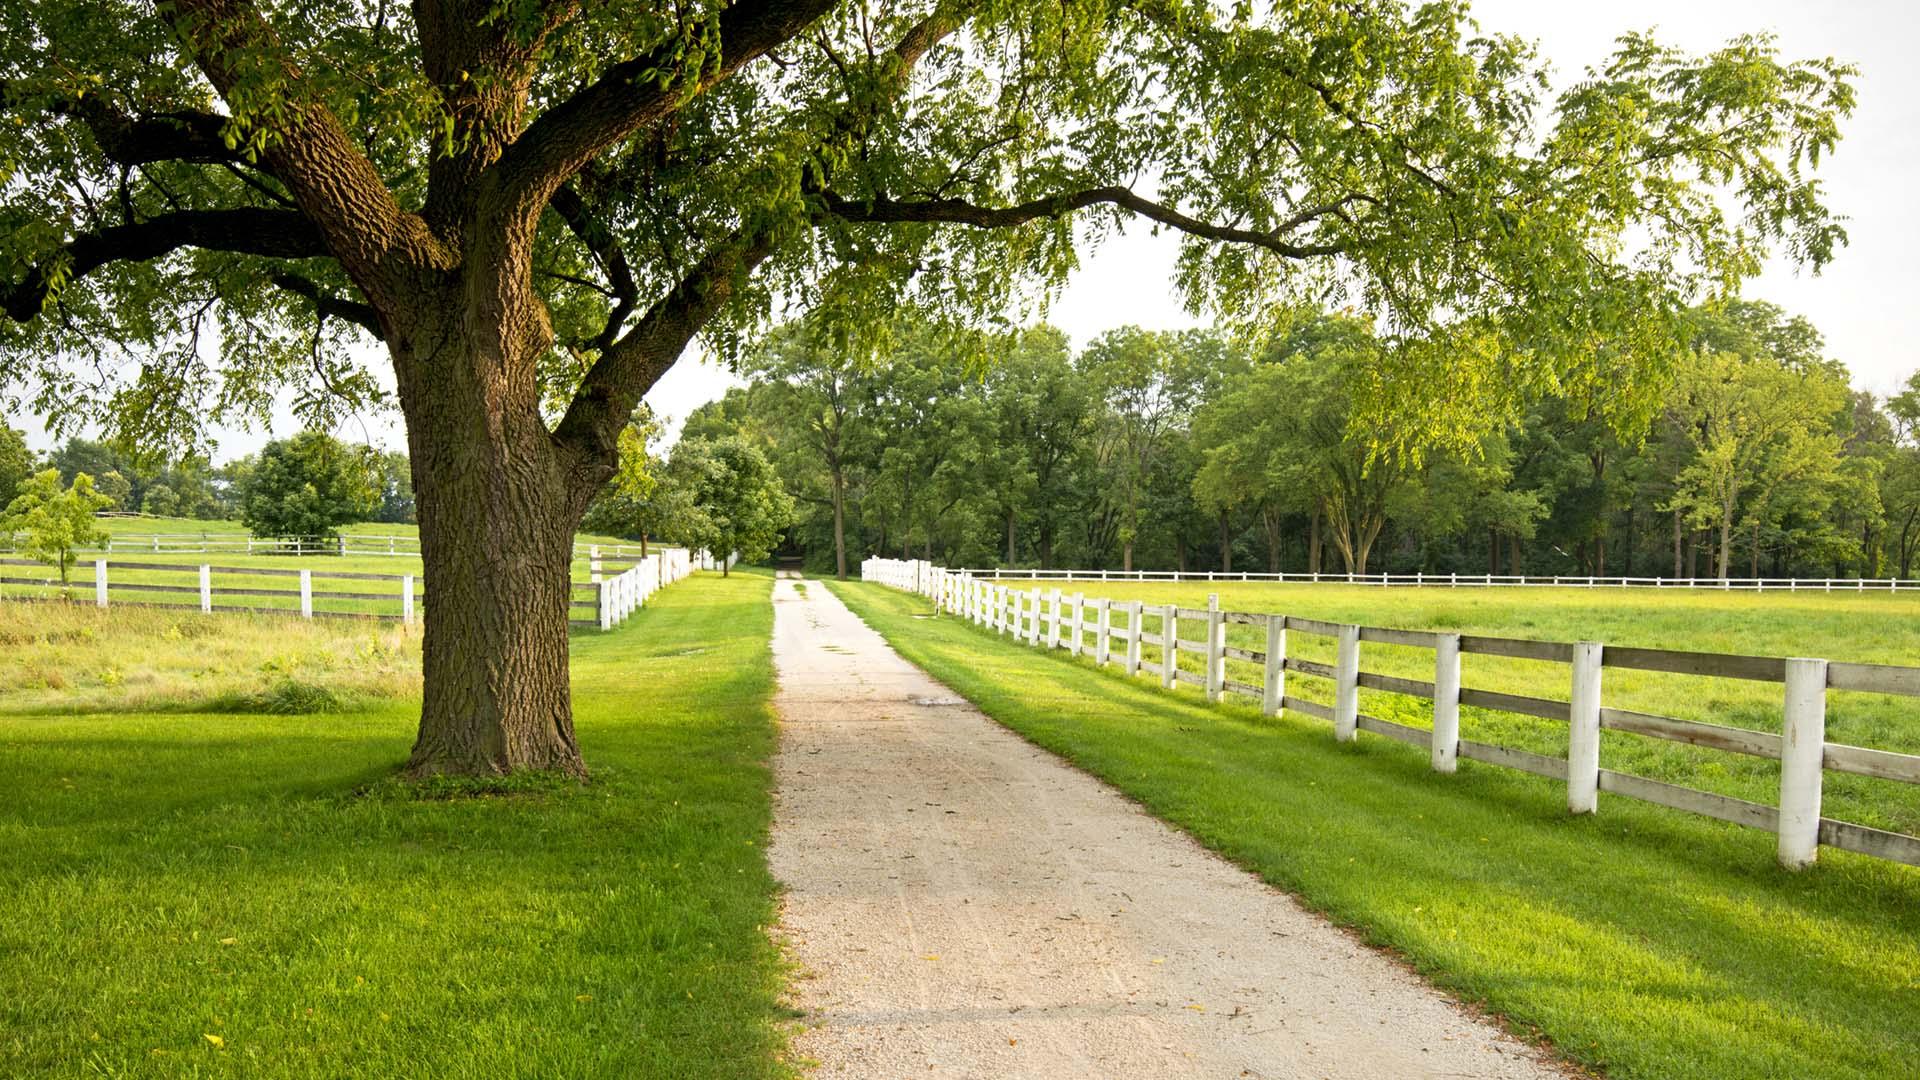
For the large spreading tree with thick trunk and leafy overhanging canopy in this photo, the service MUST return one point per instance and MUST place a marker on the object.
(535, 209)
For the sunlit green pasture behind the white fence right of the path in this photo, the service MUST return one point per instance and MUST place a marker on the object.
(1852, 627)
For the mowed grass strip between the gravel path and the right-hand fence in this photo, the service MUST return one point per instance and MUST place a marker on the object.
(1644, 943)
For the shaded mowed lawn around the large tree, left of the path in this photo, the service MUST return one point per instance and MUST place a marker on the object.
(199, 895)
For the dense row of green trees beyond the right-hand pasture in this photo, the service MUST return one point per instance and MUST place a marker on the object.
(1186, 451)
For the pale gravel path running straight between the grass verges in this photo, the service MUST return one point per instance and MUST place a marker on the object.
(967, 906)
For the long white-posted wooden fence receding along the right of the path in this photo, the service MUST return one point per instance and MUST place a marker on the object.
(1053, 620)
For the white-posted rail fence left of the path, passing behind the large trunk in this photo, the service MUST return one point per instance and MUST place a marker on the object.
(329, 595)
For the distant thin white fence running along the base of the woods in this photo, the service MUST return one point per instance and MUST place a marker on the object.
(1464, 581)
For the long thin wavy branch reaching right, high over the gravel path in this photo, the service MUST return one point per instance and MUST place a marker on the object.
(961, 212)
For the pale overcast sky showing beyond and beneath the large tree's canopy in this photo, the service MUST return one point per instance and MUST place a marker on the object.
(1865, 303)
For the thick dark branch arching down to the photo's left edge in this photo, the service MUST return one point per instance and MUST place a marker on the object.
(251, 232)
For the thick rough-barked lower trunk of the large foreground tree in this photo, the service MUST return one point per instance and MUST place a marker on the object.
(498, 508)
